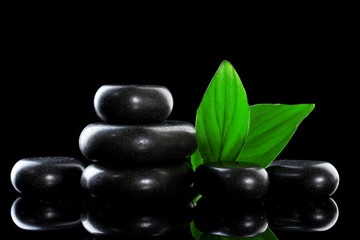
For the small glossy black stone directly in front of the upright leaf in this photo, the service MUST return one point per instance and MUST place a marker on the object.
(231, 181)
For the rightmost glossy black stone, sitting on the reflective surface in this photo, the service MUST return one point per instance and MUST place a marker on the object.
(303, 177)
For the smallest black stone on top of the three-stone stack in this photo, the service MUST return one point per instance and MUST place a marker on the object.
(133, 104)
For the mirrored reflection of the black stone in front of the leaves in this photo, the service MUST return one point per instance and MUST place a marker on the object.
(241, 219)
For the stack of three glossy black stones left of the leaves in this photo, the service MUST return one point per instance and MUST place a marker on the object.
(139, 155)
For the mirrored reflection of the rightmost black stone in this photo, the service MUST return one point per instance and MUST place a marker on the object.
(303, 215)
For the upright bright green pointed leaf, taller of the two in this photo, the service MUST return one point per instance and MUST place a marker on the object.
(222, 120)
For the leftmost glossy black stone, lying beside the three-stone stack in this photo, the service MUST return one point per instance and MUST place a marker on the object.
(46, 176)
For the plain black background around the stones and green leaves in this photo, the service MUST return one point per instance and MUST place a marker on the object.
(53, 66)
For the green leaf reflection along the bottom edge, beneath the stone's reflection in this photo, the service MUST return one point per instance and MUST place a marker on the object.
(197, 235)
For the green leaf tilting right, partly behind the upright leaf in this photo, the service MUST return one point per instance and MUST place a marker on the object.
(271, 128)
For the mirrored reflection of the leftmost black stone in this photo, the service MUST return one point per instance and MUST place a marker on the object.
(41, 215)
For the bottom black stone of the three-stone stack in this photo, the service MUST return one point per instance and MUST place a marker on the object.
(140, 183)
